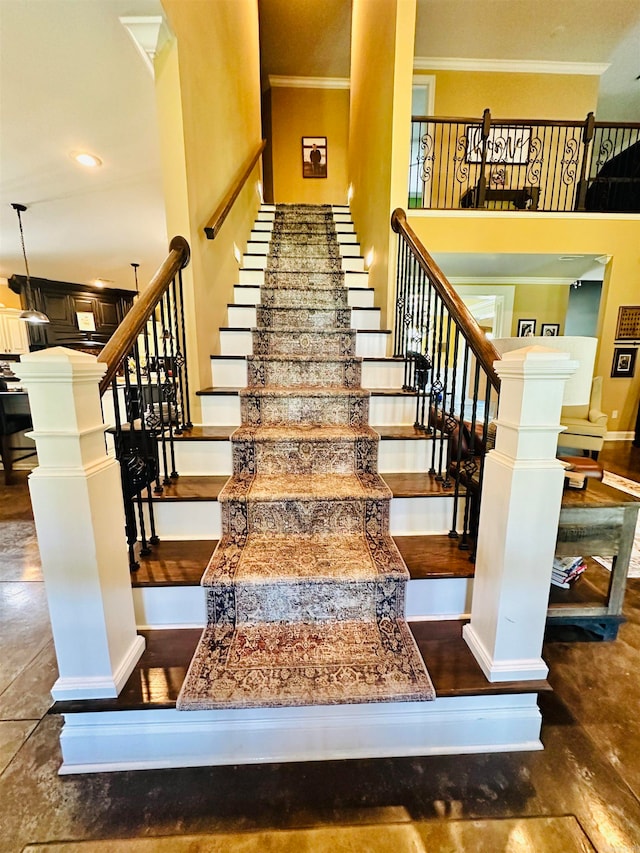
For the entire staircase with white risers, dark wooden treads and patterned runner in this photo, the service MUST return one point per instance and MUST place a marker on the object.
(313, 535)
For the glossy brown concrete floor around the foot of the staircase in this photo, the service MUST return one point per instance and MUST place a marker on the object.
(581, 793)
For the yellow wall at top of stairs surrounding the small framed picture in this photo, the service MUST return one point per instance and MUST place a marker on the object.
(309, 112)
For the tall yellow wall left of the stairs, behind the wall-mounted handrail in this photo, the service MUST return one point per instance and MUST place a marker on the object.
(209, 112)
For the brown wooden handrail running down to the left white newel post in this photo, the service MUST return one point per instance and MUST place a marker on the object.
(125, 336)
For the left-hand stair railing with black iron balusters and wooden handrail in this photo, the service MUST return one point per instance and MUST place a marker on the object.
(145, 394)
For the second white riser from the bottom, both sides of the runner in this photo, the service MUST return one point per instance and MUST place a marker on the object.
(184, 607)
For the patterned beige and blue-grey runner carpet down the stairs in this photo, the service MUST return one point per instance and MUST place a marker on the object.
(305, 591)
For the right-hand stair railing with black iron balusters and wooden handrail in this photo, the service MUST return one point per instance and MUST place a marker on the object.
(449, 368)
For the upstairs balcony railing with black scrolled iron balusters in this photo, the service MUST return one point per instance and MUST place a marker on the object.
(524, 164)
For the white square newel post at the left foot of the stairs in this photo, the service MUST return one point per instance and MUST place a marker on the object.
(77, 503)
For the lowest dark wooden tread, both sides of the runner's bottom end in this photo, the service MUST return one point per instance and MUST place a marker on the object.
(157, 677)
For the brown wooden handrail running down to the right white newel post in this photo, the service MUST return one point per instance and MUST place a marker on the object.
(481, 347)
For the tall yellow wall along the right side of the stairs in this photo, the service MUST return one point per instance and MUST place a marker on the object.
(379, 128)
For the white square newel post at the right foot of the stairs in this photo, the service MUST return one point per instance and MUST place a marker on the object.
(521, 497)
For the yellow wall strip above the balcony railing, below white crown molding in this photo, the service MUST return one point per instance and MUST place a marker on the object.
(514, 95)
